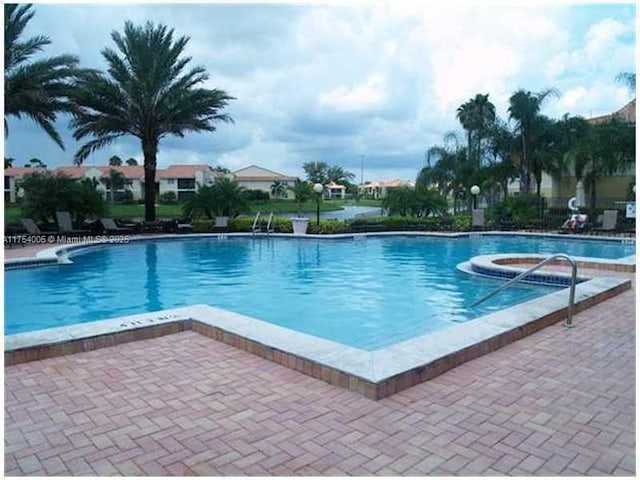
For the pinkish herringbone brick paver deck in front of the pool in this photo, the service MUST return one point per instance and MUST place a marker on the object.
(555, 403)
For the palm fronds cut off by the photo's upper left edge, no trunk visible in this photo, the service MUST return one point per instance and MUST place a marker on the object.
(36, 89)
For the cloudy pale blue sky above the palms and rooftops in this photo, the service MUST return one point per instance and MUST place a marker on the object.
(371, 85)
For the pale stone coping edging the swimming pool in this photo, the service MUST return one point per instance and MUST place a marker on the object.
(375, 374)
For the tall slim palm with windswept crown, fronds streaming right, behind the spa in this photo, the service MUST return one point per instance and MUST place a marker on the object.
(524, 107)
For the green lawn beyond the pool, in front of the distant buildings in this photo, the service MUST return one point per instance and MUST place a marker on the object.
(12, 213)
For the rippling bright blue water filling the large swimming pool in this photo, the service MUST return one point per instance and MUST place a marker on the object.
(368, 294)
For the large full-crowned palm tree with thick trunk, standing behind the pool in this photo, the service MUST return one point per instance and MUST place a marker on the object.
(145, 93)
